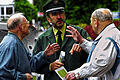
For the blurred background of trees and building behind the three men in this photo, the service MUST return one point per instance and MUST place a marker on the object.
(78, 12)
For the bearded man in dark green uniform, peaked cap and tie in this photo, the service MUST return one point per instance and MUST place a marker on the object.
(56, 15)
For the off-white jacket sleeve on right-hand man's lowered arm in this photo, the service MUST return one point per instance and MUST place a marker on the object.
(101, 61)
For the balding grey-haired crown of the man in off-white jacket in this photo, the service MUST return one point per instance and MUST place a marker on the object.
(102, 14)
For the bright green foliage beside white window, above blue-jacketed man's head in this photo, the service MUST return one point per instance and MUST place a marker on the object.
(28, 9)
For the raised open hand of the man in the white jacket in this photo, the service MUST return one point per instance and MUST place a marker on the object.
(75, 34)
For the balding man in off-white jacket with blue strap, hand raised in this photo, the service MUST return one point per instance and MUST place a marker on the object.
(102, 52)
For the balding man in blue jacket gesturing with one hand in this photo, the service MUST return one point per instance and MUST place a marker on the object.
(16, 63)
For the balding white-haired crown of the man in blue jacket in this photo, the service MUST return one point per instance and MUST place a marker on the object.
(14, 20)
